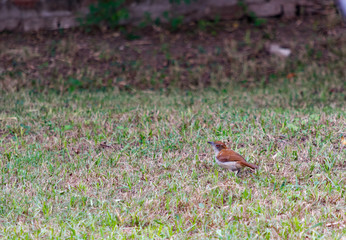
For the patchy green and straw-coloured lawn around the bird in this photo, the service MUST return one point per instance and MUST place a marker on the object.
(120, 166)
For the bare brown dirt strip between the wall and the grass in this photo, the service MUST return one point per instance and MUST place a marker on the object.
(194, 58)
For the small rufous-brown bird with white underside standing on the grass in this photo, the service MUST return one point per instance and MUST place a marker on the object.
(229, 159)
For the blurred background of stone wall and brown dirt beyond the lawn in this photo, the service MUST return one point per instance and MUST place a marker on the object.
(163, 44)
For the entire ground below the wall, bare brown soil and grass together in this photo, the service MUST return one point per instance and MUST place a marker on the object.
(80, 161)
